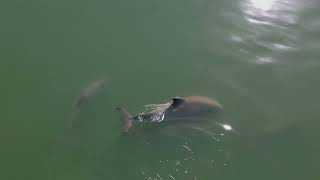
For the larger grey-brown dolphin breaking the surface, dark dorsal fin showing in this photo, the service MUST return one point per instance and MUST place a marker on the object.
(190, 112)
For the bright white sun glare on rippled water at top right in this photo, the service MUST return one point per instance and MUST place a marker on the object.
(270, 28)
